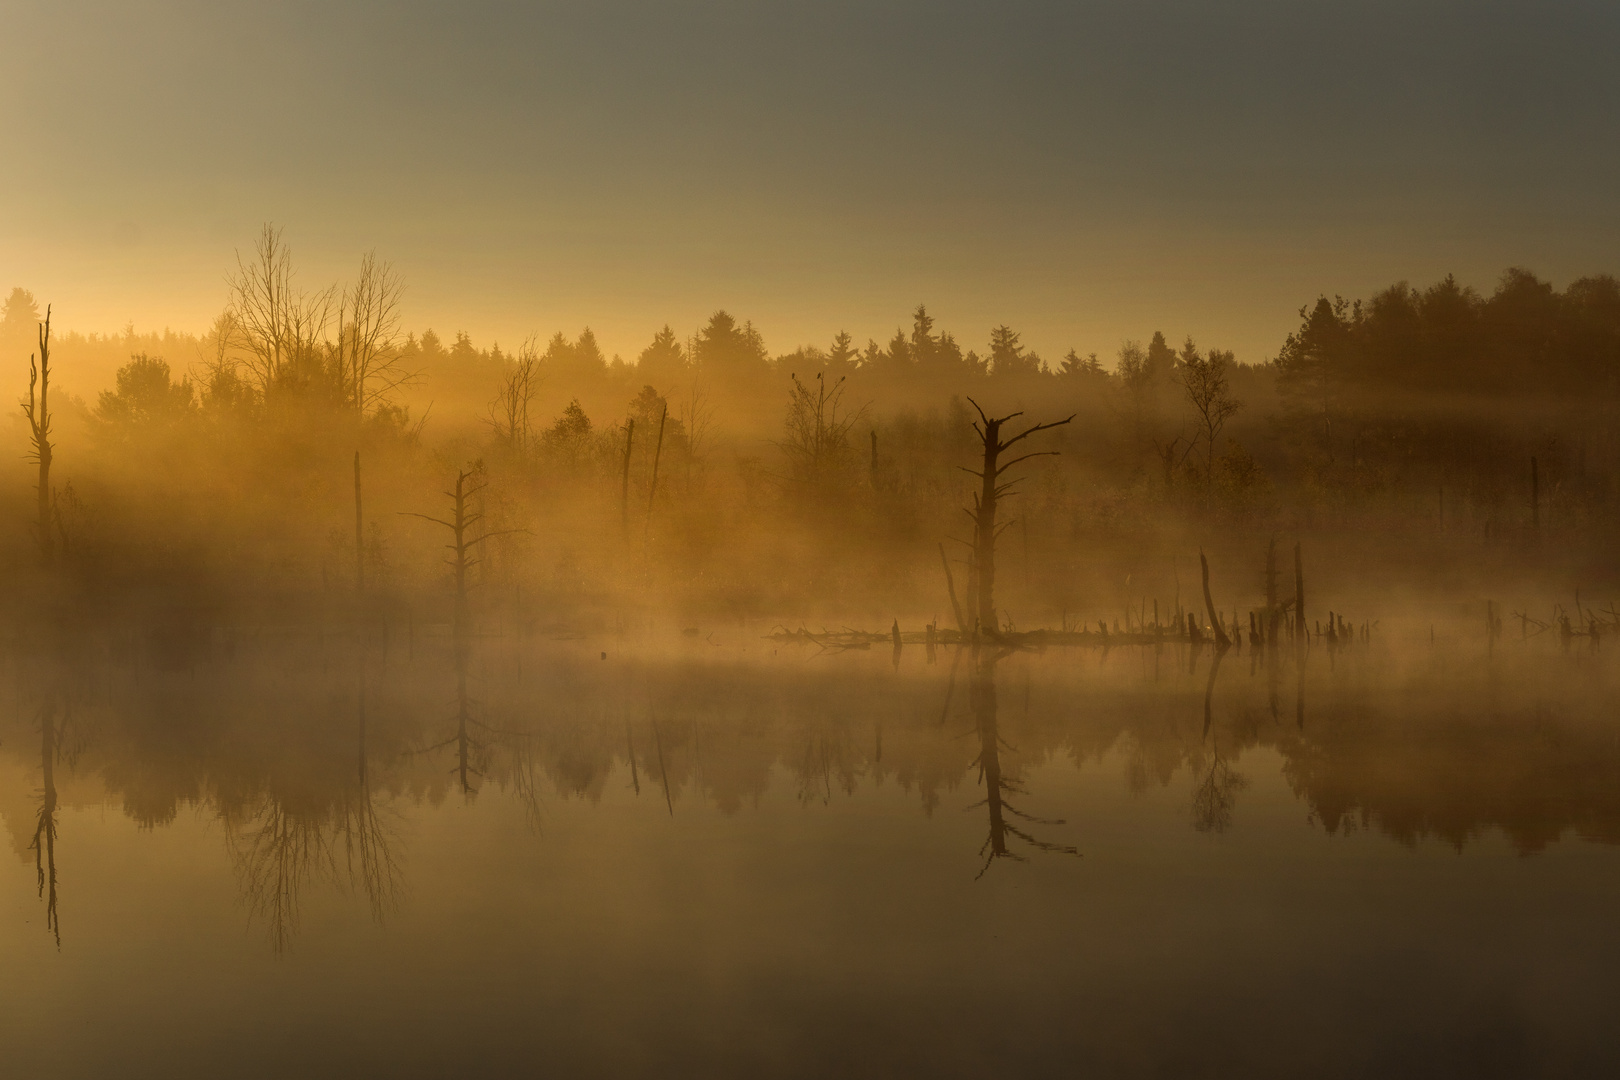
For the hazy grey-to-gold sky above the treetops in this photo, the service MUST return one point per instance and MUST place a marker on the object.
(1083, 172)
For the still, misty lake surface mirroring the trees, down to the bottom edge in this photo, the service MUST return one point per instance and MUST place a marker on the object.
(294, 856)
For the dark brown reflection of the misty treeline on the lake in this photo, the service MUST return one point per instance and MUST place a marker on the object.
(315, 752)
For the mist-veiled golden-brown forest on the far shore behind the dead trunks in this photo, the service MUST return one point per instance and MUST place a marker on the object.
(198, 475)
